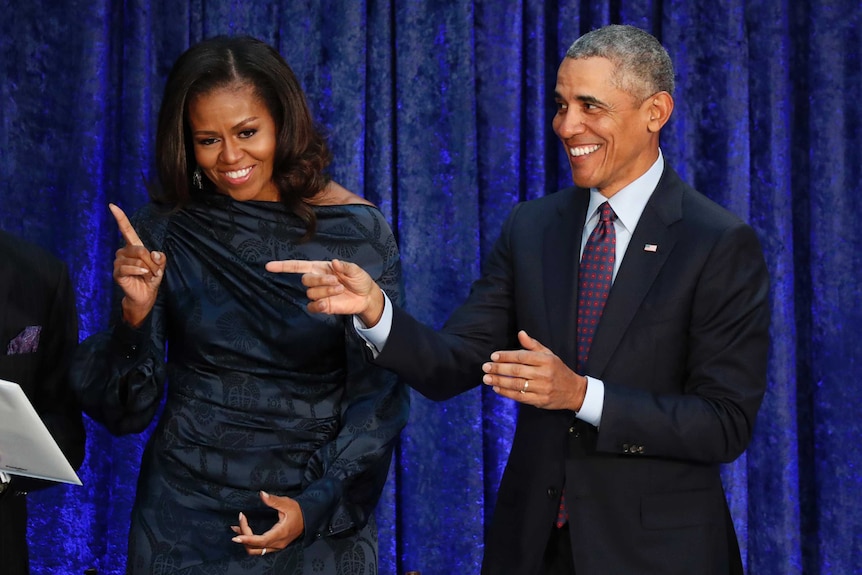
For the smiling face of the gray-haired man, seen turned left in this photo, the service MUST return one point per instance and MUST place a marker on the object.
(605, 131)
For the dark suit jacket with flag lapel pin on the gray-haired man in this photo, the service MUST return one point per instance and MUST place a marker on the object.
(682, 350)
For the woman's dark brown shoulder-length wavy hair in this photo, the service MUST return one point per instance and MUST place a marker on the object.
(301, 153)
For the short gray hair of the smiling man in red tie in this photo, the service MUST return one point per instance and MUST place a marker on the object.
(642, 65)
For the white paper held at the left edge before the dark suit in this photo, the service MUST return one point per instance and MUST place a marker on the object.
(26, 445)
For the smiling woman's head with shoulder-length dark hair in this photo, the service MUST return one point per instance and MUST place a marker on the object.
(234, 104)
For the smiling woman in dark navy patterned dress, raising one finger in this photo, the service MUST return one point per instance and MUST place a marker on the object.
(276, 436)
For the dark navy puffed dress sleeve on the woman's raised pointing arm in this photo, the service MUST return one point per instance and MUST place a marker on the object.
(119, 374)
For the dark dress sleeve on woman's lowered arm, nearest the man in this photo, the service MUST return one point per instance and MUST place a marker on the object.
(347, 475)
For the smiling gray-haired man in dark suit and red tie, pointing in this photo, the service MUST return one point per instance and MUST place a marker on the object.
(628, 406)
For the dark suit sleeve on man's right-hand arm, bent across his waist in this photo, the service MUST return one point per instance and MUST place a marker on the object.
(711, 364)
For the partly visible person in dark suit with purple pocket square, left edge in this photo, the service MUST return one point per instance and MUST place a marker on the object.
(38, 333)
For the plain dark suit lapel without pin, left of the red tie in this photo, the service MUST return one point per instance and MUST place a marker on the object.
(561, 247)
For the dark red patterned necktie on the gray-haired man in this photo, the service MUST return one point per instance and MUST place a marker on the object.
(595, 276)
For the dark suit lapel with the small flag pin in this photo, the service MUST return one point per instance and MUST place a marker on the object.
(639, 269)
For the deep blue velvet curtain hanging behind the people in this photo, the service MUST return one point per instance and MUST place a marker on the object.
(440, 112)
